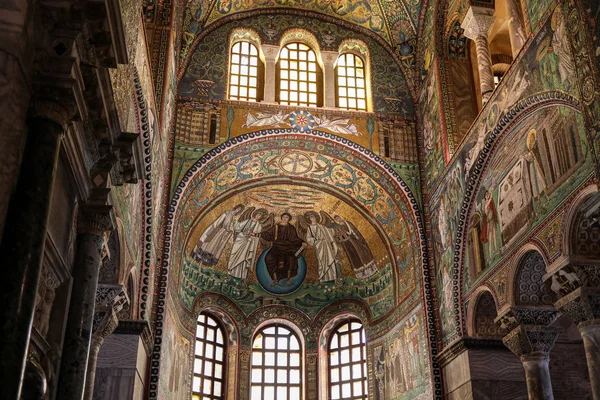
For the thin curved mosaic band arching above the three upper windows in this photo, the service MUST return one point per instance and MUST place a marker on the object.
(206, 30)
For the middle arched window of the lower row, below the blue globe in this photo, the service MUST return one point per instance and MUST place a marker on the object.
(276, 364)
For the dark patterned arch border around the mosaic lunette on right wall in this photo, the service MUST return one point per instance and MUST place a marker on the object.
(516, 114)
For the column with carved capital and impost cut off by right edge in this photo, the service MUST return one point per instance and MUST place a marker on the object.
(578, 288)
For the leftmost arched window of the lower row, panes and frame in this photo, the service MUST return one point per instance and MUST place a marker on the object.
(209, 360)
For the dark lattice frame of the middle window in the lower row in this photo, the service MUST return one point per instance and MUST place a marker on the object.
(300, 367)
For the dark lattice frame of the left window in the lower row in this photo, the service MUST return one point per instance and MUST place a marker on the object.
(223, 363)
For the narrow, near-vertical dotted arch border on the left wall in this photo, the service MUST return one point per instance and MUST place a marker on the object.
(146, 239)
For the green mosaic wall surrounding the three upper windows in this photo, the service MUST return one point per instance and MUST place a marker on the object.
(204, 63)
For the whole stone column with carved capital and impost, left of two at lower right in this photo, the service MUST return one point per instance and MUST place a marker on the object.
(531, 338)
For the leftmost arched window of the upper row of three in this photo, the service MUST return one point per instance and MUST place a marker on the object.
(244, 72)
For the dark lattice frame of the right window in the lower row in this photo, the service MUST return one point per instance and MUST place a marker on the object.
(363, 362)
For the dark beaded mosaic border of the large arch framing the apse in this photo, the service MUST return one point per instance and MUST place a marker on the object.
(426, 293)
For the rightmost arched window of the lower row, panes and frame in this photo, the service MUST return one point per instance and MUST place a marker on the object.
(348, 362)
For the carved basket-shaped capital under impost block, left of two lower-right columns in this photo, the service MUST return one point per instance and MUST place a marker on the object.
(528, 340)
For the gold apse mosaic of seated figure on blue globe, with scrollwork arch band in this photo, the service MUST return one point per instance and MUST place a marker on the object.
(295, 221)
